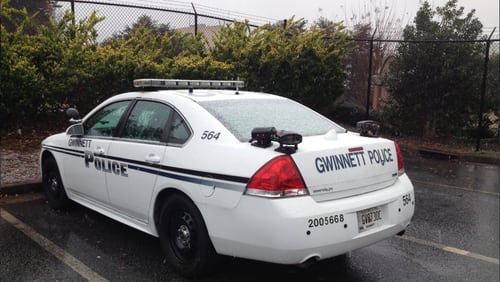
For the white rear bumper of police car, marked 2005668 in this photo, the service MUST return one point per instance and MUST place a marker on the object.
(290, 231)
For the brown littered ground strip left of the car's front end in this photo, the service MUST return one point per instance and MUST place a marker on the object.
(19, 166)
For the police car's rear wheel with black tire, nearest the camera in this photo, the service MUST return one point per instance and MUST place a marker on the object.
(184, 238)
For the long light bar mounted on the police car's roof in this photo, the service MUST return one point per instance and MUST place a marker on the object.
(182, 83)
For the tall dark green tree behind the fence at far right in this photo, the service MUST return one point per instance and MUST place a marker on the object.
(434, 86)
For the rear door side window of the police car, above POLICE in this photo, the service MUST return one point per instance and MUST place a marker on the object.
(147, 121)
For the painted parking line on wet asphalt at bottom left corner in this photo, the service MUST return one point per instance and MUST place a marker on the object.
(52, 248)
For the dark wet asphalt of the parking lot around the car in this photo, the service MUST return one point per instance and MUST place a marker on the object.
(454, 236)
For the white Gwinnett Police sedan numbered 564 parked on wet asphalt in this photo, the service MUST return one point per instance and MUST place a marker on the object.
(211, 169)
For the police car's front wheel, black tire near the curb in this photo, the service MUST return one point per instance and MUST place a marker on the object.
(53, 186)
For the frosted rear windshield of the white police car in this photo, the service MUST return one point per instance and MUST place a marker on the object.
(241, 116)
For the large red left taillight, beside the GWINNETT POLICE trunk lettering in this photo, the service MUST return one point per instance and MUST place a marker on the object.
(278, 178)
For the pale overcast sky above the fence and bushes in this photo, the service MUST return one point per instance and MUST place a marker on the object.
(486, 10)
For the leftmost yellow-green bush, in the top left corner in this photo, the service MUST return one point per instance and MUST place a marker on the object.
(46, 68)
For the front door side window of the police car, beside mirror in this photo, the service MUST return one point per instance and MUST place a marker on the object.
(105, 121)
